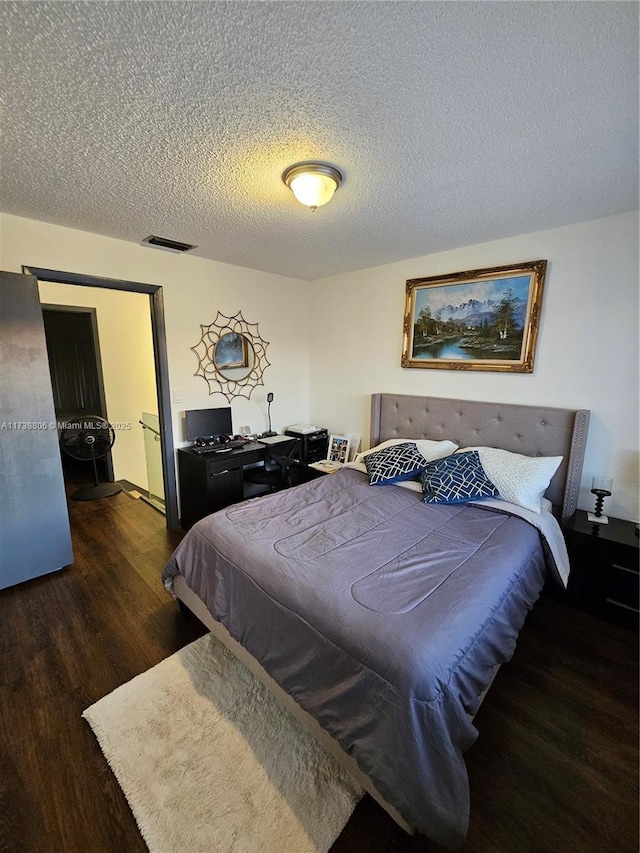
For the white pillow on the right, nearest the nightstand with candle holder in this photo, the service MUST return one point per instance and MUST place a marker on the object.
(521, 480)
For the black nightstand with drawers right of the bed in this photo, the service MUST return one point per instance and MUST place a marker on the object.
(604, 568)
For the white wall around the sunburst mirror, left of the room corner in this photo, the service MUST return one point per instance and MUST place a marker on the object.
(194, 291)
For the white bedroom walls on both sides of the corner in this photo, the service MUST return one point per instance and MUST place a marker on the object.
(342, 336)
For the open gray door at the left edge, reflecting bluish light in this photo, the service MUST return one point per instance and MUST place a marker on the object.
(34, 523)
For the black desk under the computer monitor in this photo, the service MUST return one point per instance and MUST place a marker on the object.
(211, 481)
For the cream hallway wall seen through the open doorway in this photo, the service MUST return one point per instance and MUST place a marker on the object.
(126, 350)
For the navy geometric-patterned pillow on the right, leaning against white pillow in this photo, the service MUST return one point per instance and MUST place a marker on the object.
(455, 479)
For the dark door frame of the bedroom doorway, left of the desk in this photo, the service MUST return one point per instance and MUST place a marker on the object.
(156, 305)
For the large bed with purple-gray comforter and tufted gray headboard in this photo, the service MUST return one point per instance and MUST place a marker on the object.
(379, 619)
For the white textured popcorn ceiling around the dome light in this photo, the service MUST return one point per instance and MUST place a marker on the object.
(453, 122)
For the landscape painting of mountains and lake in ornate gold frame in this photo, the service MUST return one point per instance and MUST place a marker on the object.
(477, 320)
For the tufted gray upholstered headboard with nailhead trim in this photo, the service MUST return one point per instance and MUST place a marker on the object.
(530, 430)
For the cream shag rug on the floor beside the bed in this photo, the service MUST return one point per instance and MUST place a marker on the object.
(210, 761)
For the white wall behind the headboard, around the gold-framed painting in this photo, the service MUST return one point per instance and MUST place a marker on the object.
(587, 352)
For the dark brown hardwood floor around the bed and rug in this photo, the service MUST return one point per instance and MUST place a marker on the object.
(555, 767)
